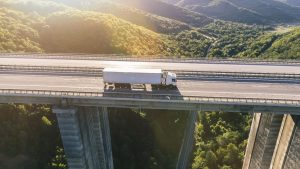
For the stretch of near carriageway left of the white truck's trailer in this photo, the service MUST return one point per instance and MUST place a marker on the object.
(51, 82)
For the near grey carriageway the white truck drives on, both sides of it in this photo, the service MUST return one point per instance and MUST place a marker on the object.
(185, 87)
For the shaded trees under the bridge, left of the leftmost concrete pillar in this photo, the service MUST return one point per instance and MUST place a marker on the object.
(29, 138)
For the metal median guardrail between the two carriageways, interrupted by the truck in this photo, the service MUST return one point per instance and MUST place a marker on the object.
(94, 71)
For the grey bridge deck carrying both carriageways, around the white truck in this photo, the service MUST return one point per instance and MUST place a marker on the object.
(194, 87)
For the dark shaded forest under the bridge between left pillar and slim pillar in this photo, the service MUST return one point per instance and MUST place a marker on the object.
(146, 139)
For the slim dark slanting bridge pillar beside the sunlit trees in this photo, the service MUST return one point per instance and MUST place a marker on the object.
(188, 142)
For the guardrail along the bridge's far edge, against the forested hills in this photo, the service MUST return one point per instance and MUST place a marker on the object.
(150, 58)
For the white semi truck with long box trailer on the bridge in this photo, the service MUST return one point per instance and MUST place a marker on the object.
(139, 76)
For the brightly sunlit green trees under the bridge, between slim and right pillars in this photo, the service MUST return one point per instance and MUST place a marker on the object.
(221, 140)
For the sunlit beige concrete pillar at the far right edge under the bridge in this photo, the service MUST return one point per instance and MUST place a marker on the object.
(287, 150)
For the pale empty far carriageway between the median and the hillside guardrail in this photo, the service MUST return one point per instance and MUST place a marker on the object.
(163, 65)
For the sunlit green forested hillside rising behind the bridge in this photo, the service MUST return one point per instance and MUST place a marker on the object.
(59, 29)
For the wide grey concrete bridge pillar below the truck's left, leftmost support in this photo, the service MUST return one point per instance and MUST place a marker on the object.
(86, 137)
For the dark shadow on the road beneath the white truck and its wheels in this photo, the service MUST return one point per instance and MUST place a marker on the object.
(148, 92)
